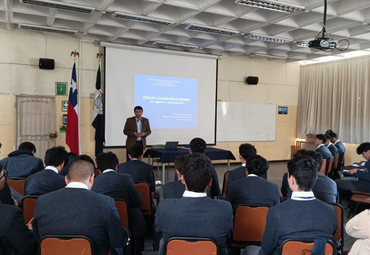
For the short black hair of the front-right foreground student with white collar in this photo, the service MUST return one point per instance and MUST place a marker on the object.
(304, 170)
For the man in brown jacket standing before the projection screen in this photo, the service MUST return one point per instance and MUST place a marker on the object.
(137, 128)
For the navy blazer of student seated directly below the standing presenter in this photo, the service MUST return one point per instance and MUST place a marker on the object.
(139, 171)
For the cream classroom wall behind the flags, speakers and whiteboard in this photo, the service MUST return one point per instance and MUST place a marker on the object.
(19, 72)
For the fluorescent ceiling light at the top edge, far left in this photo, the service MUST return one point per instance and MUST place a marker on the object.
(59, 5)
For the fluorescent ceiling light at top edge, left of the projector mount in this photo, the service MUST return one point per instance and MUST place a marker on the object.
(272, 5)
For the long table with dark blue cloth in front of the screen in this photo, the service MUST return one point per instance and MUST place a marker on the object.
(169, 156)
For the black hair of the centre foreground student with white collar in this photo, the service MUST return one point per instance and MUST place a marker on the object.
(197, 172)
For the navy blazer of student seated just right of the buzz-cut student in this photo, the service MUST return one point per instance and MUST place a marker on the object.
(118, 185)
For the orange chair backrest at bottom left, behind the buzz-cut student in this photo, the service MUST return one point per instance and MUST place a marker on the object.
(61, 245)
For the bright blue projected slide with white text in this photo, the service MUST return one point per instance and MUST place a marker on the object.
(168, 102)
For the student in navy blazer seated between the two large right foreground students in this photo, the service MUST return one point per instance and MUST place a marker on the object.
(253, 189)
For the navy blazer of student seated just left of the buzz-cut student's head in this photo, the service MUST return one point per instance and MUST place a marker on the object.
(43, 182)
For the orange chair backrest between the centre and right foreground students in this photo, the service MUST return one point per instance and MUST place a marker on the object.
(249, 224)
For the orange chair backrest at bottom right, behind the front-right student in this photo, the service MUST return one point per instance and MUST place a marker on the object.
(304, 247)
